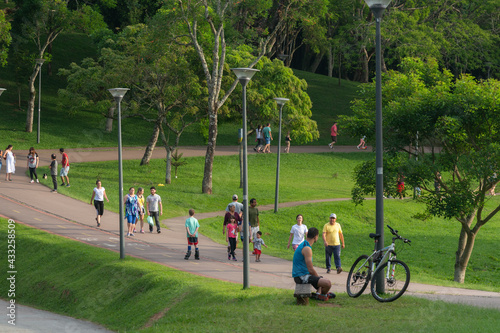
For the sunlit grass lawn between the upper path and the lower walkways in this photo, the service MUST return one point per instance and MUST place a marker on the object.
(302, 176)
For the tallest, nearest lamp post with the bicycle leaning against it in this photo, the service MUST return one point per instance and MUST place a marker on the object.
(378, 7)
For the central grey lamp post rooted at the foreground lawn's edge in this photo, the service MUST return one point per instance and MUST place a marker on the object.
(244, 75)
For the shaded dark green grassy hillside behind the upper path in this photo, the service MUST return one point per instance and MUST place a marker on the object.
(60, 128)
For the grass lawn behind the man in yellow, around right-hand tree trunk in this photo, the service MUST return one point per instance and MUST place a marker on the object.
(431, 254)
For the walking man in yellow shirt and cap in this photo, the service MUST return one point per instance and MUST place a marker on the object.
(333, 237)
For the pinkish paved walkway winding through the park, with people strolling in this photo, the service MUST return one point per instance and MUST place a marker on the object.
(34, 205)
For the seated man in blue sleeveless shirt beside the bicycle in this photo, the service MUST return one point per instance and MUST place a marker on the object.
(303, 271)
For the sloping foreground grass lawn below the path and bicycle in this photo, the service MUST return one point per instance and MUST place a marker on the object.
(132, 295)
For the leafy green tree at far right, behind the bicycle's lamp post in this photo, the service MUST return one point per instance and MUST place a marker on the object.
(461, 119)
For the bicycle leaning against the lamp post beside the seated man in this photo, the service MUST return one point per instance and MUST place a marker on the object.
(396, 273)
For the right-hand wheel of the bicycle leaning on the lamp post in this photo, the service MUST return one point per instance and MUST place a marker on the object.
(396, 275)
